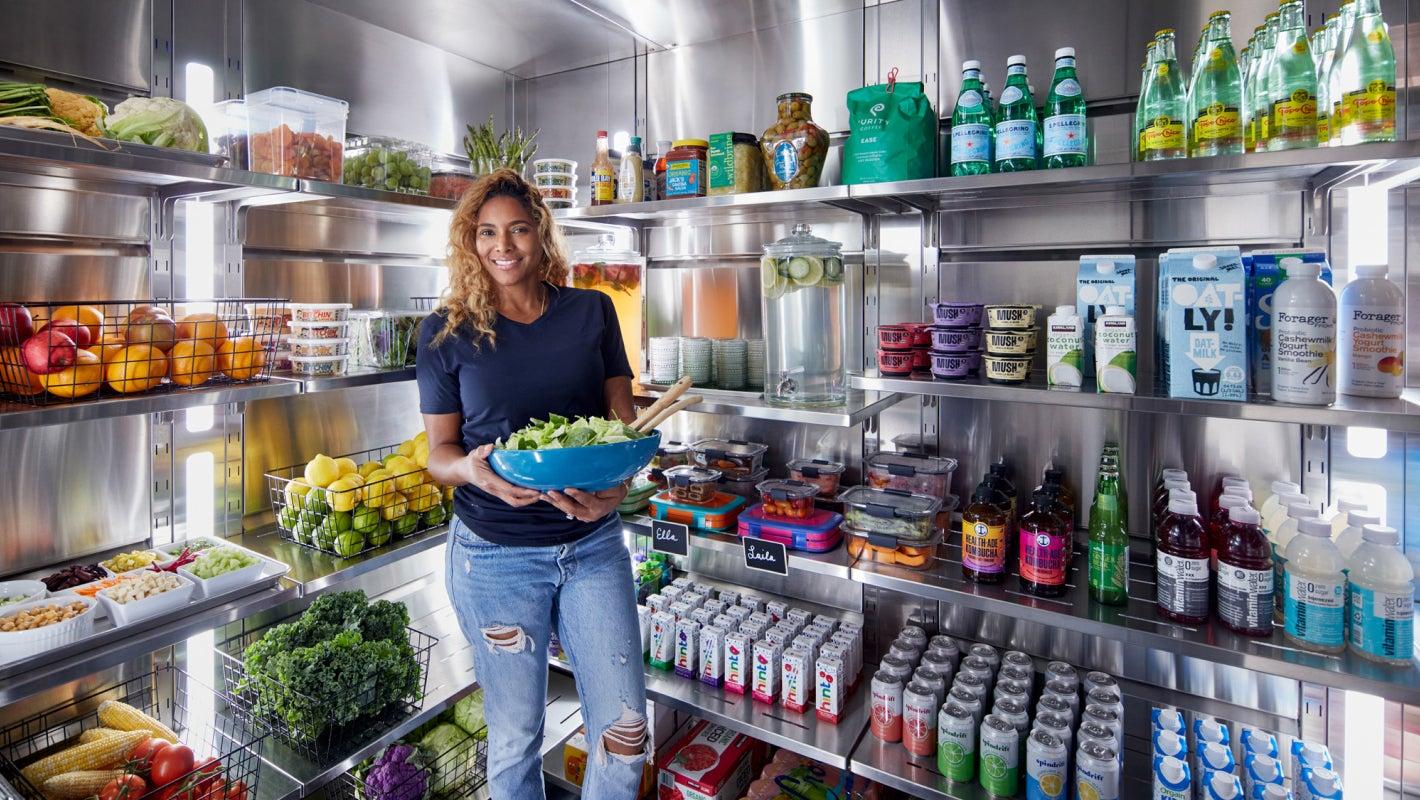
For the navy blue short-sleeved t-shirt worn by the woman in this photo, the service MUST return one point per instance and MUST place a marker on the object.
(557, 364)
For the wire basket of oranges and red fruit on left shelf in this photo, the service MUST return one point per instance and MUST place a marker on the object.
(59, 353)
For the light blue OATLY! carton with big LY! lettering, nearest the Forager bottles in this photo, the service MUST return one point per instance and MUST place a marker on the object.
(1203, 323)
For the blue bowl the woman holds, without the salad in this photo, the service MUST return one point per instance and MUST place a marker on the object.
(590, 470)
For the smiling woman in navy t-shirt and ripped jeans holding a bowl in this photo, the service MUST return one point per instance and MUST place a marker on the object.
(512, 343)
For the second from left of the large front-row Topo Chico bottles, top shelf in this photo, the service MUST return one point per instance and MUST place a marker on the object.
(1219, 89)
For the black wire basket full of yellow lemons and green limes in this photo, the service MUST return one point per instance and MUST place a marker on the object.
(350, 522)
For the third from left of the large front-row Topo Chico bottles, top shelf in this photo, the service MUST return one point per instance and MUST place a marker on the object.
(1293, 83)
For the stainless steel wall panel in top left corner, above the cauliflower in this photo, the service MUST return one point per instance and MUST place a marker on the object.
(106, 43)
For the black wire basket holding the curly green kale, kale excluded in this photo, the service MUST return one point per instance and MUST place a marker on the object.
(332, 738)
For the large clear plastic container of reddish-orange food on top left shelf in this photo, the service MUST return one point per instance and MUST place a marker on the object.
(297, 134)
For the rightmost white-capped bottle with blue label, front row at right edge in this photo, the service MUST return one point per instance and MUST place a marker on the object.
(1381, 599)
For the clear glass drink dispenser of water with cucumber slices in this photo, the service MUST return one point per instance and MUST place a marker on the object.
(804, 312)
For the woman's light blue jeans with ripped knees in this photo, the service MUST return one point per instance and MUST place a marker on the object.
(508, 602)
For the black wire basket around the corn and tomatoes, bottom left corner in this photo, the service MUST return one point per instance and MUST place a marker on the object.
(167, 694)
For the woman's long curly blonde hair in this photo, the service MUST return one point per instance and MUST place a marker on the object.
(472, 299)
